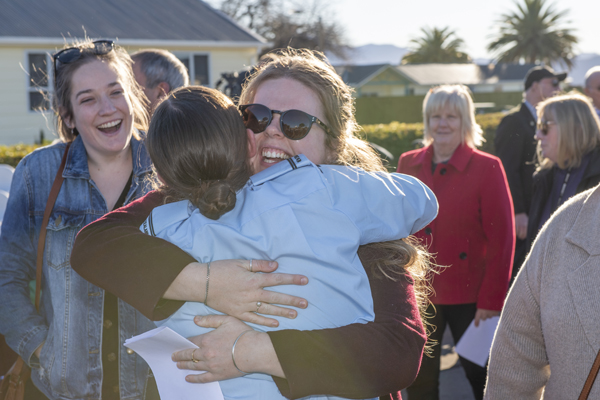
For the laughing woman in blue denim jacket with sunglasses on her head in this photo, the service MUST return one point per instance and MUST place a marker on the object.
(74, 343)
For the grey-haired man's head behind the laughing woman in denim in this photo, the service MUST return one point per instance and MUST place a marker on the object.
(158, 72)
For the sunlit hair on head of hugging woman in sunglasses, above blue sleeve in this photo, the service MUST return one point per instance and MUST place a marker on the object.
(310, 69)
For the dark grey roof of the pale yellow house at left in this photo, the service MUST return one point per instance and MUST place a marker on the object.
(129, 20)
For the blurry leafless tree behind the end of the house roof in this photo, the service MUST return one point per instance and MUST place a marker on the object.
(284, 23)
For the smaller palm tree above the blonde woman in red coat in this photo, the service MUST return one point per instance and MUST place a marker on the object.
(436, 46)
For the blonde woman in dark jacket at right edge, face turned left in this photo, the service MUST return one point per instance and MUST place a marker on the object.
(568, 137)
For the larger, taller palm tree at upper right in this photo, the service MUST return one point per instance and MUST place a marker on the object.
(533, 34)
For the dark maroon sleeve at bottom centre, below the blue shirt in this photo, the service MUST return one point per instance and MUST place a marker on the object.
(359, 360)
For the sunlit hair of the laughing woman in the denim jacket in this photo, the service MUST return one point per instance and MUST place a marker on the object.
(120, 62)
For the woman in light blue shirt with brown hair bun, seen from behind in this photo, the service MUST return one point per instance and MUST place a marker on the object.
(198, 143)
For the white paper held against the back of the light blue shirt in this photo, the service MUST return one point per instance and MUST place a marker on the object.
(156, 347)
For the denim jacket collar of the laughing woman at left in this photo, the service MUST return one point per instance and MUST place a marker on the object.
(77, 165)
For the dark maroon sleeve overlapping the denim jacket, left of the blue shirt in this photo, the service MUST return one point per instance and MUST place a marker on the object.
(115, 255)
